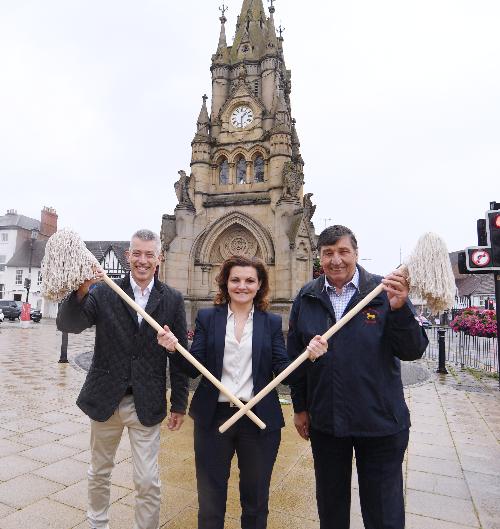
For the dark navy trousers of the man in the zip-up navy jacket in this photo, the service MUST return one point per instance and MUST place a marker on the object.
(379, 465)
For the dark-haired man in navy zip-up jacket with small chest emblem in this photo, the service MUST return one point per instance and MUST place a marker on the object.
(351, 399)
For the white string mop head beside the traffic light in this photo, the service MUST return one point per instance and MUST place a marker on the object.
(430, 275)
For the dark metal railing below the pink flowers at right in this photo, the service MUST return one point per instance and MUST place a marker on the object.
(463, 350)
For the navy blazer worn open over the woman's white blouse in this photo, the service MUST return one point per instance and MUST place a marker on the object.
(269, 358)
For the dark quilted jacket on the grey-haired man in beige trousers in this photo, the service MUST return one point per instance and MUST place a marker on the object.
(127, 354)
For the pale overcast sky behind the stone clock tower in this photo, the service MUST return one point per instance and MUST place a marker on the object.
(397, 106)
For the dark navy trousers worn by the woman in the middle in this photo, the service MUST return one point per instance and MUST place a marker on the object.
(256, 451)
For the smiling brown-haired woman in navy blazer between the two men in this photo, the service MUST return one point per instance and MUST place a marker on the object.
(243, 346)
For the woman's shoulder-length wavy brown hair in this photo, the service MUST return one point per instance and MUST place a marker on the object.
(261, 300)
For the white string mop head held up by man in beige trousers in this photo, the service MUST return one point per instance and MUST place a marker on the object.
(67, 263)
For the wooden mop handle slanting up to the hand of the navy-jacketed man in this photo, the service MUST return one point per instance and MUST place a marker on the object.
(296, 363)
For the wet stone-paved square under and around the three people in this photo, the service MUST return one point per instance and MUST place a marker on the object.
(452, 467)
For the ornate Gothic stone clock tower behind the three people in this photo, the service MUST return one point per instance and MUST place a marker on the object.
(245, 191)
